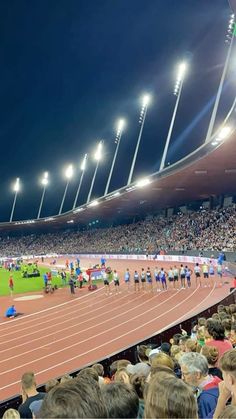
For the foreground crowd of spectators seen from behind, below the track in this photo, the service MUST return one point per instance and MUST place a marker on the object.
(193, 376)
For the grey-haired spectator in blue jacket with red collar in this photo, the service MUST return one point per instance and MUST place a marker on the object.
(194, 368)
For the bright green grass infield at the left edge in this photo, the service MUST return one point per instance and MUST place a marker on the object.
(22, 285)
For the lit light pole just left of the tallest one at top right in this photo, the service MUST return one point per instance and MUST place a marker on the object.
(177, 92)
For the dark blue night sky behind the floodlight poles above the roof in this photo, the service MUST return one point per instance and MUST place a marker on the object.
(70, 68)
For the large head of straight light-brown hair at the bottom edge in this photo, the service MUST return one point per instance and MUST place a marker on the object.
(168, 397)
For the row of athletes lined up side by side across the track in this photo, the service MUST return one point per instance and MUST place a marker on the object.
(183, 273)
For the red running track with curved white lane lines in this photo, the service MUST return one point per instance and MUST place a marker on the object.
(60, 333)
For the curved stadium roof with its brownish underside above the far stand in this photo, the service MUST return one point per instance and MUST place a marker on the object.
(208, 171)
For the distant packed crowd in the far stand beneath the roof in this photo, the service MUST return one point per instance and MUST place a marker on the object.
(212, 230)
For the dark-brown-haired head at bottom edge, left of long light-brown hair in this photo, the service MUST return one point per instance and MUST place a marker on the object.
(121, 400)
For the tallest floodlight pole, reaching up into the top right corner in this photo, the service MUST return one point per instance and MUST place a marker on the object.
(230, 41)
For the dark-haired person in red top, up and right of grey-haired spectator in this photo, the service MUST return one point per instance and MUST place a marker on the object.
(216, 333)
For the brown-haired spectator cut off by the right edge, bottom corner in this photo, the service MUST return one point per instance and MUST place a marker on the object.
(227, 388)
